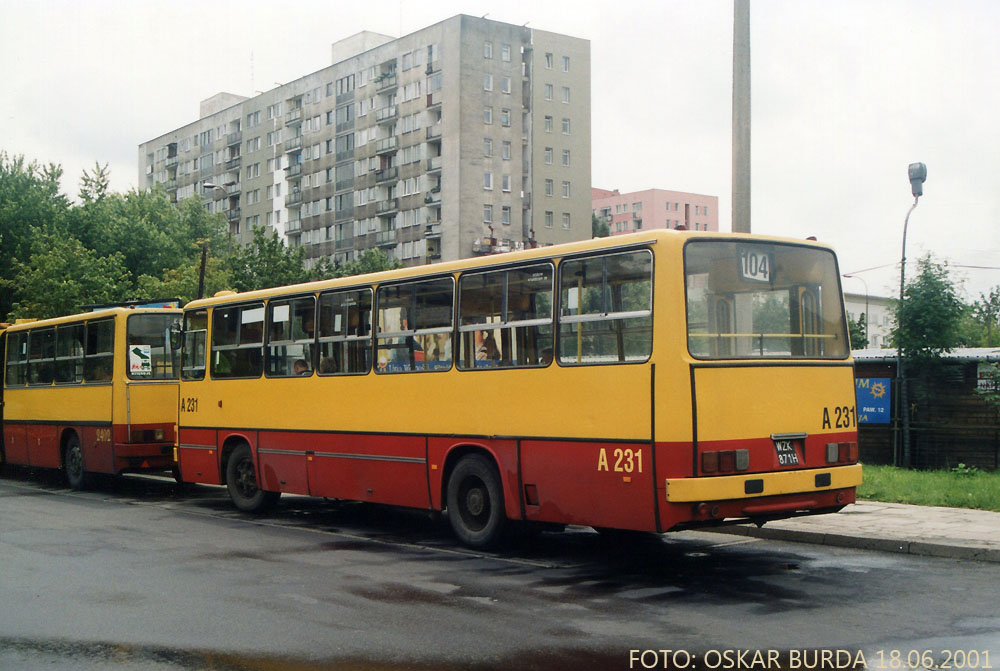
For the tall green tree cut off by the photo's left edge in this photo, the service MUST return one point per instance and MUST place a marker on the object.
(30, 202)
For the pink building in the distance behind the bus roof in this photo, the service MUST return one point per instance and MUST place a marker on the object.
(655, 208)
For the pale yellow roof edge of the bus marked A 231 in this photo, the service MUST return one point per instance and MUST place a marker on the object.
(661, 236)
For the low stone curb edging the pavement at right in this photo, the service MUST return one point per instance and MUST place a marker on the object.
(920, 548)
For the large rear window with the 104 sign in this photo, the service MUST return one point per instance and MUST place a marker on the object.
(750, 299)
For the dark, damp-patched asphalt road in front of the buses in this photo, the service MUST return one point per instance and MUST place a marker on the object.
(141, 575)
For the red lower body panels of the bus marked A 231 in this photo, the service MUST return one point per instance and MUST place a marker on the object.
(611, 484)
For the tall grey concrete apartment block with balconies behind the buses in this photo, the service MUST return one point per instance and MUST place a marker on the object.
(464, 138)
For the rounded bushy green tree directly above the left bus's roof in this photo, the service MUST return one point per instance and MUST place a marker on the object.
(61, 275)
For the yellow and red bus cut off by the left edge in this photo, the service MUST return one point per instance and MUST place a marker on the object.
(92, 393)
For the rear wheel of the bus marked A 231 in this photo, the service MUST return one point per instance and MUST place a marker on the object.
(475, 502)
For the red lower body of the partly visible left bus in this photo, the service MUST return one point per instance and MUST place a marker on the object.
(106, 448)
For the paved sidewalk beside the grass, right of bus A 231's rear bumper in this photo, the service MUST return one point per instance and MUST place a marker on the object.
(958, 533)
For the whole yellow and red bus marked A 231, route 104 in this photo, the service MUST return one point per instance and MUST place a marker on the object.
(648, 382)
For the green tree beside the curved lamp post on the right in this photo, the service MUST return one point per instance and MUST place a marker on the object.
(928, 322)
